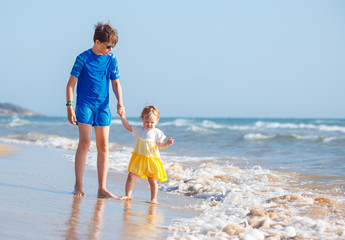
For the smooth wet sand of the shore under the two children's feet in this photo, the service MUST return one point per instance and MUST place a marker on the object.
(37, 202)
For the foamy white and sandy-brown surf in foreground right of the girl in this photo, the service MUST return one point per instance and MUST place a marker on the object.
(242, 203)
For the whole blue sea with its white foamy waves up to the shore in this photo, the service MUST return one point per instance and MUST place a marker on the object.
(258, 178)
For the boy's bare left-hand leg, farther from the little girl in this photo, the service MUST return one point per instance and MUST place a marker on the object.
(80, 157)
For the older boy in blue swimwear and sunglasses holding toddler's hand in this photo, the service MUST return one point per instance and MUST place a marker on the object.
(93, 70)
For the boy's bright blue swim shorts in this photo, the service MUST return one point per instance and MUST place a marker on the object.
(97, 117)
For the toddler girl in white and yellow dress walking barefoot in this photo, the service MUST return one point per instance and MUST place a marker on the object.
(146, 161)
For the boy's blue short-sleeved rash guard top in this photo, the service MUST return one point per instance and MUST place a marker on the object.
(94, 73)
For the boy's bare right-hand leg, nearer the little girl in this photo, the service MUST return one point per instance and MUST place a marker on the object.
(102, 140)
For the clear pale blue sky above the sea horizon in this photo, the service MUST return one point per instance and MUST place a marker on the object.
(191, 58)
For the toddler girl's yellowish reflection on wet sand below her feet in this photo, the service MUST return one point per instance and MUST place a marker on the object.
(140, 225)
